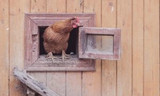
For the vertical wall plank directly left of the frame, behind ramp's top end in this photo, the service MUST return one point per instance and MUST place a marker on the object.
(17, 10)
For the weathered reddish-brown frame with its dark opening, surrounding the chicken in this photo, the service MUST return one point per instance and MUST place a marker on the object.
(35, 55)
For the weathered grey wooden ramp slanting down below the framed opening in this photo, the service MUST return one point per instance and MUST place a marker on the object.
(33, 86)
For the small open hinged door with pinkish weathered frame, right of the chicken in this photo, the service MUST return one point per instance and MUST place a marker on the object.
(99, 43)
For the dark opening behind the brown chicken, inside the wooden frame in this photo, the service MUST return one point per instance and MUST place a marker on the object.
(72, 42)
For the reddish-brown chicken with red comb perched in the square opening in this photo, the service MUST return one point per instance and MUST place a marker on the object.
(56, 37)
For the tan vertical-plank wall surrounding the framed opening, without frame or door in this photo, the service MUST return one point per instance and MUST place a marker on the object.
(136, 74)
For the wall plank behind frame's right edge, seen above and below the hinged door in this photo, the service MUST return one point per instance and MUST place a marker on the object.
(91, 81)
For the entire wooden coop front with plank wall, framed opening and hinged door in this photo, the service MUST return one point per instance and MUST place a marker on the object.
(129, 67)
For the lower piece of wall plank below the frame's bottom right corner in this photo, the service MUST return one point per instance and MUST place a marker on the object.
(91, 82)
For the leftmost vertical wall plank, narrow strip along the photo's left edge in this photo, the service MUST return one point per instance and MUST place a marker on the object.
(4, 48)
